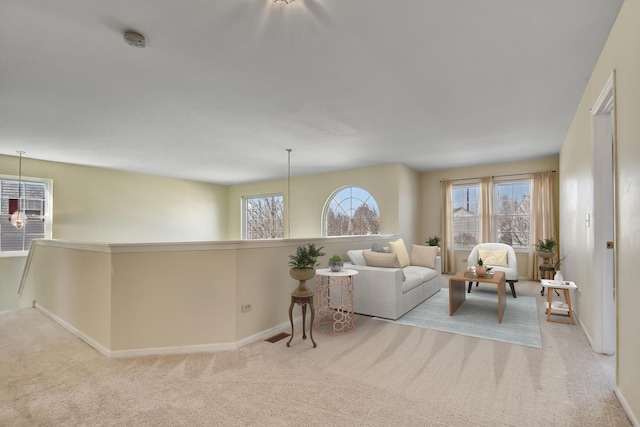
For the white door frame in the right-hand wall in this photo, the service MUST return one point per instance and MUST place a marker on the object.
(603, 221)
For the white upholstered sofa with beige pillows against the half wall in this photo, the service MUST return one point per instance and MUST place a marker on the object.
(382, 292)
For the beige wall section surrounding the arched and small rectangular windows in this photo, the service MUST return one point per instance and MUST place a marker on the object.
(394, 187)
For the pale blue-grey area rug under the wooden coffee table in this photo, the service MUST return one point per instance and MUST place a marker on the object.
(478, 317)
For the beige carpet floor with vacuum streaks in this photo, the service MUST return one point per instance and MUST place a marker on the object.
(383, 374)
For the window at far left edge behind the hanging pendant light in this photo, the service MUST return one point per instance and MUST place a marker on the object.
(36, 203)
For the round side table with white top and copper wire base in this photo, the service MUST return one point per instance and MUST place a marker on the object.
(334, 301)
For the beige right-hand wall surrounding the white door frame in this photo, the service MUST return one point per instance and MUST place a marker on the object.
(620, 54)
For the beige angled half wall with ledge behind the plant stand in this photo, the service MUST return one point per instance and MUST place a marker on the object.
(129, 299)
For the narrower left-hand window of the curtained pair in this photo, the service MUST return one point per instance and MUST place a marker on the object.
(465, 215)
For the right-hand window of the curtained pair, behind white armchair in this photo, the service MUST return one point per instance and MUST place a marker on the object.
(511, 208)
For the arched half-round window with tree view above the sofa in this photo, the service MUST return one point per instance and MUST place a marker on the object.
(351, 211)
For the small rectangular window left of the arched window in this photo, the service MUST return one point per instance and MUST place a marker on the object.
(263, 217)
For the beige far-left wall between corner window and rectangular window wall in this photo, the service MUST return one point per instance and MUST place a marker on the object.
(102, 205)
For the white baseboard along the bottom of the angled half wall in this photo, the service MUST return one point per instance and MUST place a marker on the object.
(165, 351)
